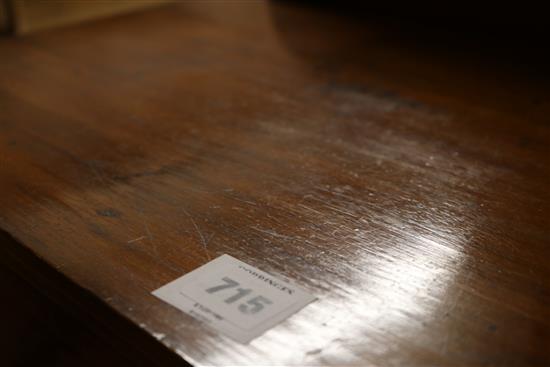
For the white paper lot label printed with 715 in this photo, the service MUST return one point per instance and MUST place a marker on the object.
(234, 297)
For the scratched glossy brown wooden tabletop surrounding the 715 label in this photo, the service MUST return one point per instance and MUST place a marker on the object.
(403, 183)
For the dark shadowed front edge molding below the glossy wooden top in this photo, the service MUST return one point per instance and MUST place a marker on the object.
(84, 306)
